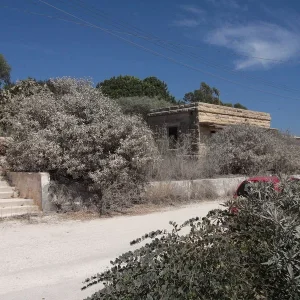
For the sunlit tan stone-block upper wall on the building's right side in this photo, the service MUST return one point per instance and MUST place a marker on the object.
(222, 115)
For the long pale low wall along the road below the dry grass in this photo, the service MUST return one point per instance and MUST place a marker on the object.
(198, 189)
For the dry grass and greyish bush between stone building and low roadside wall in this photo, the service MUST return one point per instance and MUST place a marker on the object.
(235, 150)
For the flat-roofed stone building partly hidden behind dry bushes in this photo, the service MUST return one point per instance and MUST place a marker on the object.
(202, 120)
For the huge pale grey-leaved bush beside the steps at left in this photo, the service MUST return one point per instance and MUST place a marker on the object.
(72, 131)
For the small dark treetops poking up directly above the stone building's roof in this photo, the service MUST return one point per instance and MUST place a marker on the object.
(210, 95)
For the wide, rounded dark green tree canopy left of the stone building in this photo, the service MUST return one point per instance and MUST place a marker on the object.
(130, 86)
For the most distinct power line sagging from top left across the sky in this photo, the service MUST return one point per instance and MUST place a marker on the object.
(164, 56)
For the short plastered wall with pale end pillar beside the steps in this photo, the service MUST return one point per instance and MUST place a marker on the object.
(32, 186)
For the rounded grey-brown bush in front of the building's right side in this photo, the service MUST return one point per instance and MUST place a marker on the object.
(243, 149)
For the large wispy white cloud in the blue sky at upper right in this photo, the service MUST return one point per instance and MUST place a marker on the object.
(264, 40)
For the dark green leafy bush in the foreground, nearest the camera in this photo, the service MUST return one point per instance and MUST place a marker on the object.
(254, 254)
